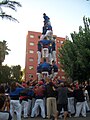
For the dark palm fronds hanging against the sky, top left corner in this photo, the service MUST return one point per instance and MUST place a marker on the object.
(8, 4)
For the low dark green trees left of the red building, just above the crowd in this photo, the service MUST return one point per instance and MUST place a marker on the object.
(9, 74)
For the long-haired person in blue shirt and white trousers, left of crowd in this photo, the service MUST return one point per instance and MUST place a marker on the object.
(15, 105)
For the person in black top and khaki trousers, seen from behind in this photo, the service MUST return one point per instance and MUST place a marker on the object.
(51, 94)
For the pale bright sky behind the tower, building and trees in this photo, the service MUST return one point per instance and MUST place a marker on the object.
(65, 15)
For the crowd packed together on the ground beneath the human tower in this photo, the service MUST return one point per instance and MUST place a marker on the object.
(46, 98)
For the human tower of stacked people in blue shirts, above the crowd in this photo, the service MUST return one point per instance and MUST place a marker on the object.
(46, 51)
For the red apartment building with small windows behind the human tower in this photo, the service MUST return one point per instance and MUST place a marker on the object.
(31, 55)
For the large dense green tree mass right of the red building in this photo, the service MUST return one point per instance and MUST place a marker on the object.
(75, 55)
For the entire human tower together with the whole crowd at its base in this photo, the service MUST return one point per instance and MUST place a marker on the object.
(46, 97)
